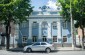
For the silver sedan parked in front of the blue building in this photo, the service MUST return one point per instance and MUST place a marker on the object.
(39, 46)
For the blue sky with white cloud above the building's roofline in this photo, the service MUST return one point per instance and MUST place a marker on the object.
(40, 3)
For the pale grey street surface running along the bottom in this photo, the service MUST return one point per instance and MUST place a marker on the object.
(4, 52)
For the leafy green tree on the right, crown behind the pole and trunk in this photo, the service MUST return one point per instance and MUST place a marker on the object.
(78, 13)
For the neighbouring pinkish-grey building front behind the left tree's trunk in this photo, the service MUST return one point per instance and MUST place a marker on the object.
(13, 35)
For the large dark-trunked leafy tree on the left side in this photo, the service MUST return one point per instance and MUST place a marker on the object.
(14, 11)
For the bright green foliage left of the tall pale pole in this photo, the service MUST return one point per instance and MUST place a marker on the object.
(65, 8)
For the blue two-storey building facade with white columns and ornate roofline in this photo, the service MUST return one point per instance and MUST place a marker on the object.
(45, 25)
